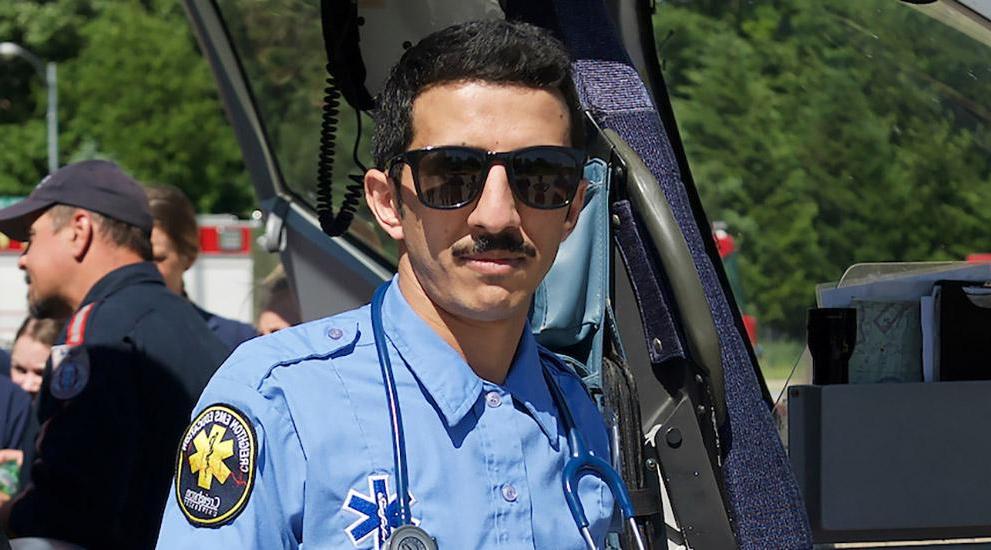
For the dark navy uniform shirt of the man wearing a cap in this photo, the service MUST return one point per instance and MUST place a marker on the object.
(116, 395)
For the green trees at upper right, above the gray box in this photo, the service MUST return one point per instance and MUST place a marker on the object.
(826, 134)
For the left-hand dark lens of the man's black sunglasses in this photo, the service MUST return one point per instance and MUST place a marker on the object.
(449, 178)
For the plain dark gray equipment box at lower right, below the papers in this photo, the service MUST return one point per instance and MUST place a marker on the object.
(893, 461)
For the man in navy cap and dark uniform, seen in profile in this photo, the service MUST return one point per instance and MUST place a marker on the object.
(125, 371)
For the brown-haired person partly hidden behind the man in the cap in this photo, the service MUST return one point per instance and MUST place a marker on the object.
(175, 241)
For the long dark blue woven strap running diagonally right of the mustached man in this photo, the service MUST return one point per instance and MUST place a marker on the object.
(763, 496)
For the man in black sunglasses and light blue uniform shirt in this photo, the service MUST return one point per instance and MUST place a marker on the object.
(290, 444)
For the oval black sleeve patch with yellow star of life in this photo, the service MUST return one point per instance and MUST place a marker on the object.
(215, 469)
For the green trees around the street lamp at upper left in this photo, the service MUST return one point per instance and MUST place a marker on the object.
(132, 88)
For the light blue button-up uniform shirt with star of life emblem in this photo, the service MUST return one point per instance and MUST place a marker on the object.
(484, 459)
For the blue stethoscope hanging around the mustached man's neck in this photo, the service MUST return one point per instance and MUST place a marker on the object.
(582, 462)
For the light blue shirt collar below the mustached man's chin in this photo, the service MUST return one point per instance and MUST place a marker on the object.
(449, 380)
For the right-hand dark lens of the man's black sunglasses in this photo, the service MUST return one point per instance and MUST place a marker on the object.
(546, 177)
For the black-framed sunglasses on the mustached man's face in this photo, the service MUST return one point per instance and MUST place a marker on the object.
(449, 177)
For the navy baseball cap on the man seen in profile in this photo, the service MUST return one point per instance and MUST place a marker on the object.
(96, 185)
